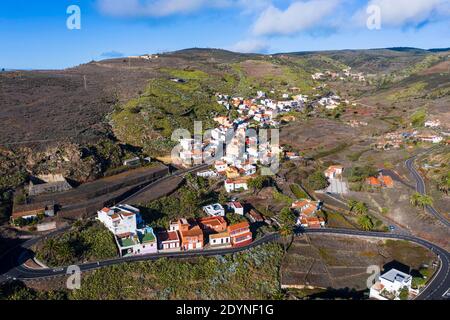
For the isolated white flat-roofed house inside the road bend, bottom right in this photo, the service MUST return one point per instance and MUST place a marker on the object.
(390, 284)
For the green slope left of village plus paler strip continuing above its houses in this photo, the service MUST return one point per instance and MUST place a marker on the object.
(165, 105)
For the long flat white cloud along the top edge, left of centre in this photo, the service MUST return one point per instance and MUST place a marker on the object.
(162, 8)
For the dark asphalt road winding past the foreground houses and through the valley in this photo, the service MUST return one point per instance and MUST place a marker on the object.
(12, 262)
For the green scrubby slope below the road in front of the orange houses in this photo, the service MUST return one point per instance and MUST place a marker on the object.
(248, 275)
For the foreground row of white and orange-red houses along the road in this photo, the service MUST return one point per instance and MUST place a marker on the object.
(134, 237)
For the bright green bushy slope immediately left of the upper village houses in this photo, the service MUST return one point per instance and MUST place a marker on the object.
(165, 105)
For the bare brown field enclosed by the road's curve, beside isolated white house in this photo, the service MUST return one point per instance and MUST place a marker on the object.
(322, 261)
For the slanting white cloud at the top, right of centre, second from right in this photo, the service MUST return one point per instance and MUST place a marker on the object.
(299, 16)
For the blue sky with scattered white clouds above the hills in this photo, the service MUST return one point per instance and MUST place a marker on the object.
(33, 33)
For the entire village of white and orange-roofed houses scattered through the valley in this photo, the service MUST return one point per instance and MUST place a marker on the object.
(243, 147)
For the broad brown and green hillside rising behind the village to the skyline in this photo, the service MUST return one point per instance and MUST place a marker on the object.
(90, 117)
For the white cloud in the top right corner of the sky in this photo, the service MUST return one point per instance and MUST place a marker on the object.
(401, 12)
